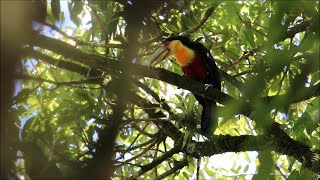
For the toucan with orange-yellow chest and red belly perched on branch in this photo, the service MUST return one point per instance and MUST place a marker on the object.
(197, 63)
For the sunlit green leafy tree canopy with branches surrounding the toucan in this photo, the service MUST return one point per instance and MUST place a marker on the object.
(86, 104)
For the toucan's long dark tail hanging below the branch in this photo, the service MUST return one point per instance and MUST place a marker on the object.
(209, 119)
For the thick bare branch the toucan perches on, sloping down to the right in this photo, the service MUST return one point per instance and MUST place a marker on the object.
(97, 62)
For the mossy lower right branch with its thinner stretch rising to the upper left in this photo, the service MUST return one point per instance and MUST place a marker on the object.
(275, 139)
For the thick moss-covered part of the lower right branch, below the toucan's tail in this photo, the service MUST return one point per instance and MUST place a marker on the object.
(275, 140)
